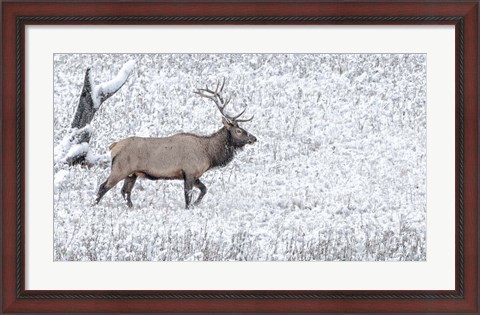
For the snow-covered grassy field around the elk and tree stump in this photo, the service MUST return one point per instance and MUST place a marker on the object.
(338, 172)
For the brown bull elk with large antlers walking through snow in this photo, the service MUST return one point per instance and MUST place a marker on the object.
(182, 156)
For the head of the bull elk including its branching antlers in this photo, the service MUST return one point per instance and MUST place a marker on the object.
(239, 136)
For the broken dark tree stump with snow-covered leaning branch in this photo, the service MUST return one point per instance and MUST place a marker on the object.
(74, 149)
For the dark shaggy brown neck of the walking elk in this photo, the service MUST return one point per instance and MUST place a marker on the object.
(220, 148)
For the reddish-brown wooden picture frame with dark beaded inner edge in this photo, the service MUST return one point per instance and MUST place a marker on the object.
(464, 15)
